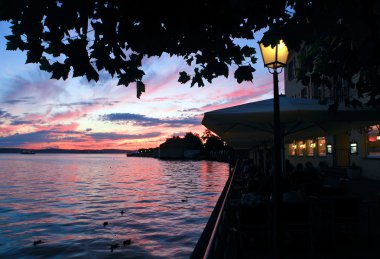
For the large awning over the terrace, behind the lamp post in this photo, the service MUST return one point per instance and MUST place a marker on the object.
(244, 126)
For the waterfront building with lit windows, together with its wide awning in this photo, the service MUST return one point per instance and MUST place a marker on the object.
(346, 140)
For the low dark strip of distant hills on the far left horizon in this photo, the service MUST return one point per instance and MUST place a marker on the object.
(67, 151)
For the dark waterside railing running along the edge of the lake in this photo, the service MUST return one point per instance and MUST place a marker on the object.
(210, 234)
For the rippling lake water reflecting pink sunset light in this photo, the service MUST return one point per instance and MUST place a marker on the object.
(63, 200)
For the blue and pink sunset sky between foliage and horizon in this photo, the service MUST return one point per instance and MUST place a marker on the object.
(38, 112)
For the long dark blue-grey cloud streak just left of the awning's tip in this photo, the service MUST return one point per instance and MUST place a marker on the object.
(142, 120)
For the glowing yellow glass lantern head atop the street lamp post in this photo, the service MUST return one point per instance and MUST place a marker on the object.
(275, 57)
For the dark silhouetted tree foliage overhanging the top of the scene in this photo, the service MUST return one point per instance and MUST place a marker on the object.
(86, 37)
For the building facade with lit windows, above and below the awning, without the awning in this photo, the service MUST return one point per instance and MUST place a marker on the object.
(355, 148)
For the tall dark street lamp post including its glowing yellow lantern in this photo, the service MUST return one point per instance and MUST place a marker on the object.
(275, 59)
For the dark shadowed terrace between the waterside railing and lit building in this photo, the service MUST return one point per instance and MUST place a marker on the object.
(319, 226)
